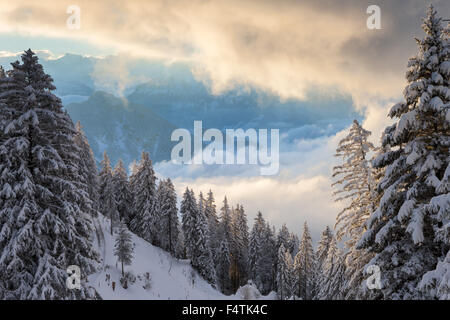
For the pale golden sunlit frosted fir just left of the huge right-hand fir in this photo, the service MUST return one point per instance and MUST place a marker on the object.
(356, 184)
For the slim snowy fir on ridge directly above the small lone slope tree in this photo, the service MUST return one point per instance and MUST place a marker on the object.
(122, 192)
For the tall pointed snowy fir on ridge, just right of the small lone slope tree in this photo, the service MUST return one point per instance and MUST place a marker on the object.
(144, 188)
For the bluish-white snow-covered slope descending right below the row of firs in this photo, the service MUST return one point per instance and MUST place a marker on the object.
(171, 278)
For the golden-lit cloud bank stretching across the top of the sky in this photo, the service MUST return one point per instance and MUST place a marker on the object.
(280, 46)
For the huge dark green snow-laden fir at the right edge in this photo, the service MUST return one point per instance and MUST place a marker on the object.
(409, 231)
